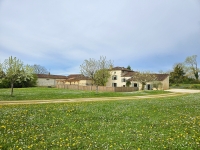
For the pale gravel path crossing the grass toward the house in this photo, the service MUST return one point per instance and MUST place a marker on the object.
(89, 99)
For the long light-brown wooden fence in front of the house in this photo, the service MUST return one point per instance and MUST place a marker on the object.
(100, 88)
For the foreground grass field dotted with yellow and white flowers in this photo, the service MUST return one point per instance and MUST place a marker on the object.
(164, 123)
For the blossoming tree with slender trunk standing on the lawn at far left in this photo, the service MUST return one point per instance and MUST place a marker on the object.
(15, 71)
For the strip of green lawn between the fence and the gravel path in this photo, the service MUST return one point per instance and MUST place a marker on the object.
(54, 93)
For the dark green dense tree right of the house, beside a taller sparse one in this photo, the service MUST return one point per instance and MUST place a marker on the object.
(177, 75)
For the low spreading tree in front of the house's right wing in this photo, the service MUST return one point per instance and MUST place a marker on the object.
(144, 77)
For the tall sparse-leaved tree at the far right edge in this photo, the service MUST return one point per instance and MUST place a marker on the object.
(191, 66)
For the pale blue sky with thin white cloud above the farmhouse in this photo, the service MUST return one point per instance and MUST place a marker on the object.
(148, 35)
